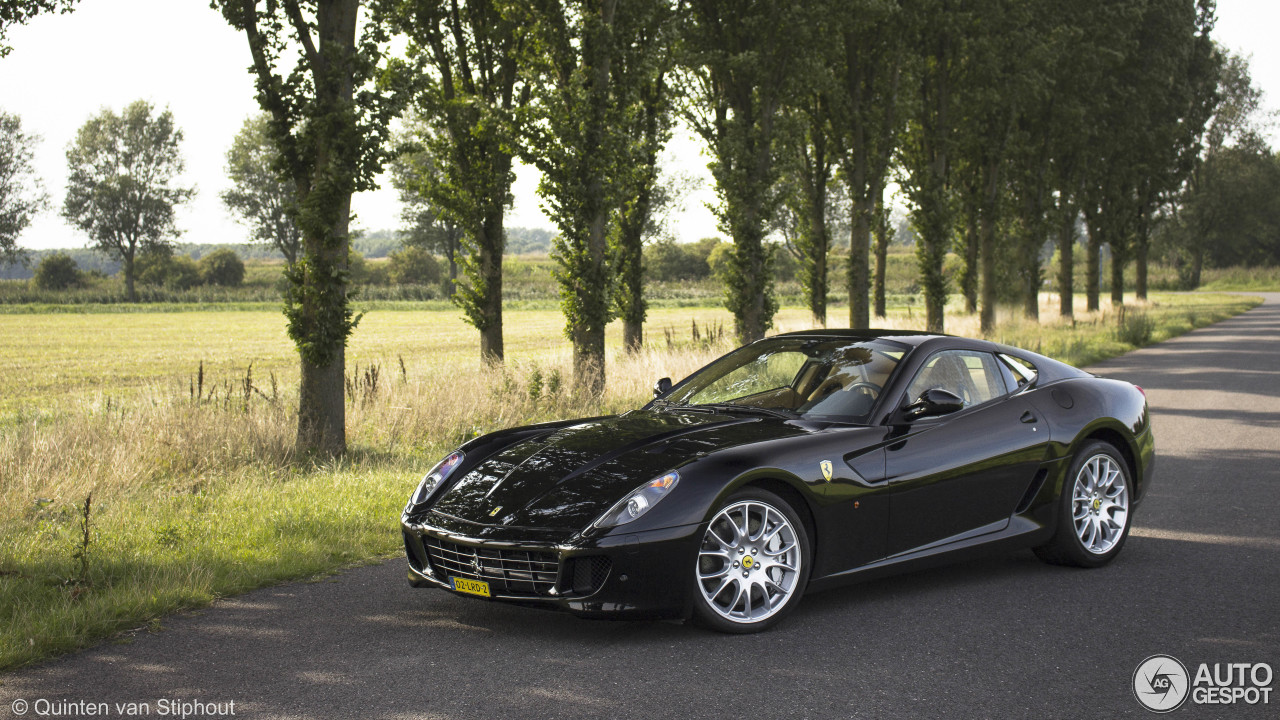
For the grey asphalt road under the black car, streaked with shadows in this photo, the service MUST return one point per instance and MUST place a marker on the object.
(1005, 637)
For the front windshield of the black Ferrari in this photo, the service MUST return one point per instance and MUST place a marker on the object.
(828, 379)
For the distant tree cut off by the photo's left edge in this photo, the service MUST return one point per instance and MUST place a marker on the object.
(21, 193)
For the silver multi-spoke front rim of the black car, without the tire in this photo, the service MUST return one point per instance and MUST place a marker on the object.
(749, 562)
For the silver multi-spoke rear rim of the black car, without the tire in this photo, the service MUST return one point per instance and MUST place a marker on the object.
(1100, 504)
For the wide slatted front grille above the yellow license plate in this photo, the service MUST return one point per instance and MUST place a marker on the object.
(509, 572)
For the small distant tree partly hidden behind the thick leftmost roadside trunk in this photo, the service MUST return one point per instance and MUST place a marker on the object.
(259, 195)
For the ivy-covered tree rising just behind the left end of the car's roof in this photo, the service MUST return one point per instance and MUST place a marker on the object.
(743, 61)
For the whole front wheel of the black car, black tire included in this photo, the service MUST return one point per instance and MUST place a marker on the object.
(770, 562)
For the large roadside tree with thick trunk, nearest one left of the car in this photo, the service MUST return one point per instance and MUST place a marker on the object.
(330, 126)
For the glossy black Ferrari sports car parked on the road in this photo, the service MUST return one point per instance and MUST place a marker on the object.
(797, 463)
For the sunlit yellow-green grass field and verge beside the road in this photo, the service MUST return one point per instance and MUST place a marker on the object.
(198, 499)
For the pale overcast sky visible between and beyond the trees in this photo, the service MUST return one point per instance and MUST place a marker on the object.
(181, 54)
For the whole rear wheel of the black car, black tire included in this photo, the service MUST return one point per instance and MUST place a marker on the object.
(1095, 512)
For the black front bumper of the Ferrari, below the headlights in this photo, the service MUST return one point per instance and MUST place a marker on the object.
(632, 576)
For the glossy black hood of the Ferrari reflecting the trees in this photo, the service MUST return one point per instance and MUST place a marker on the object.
(566, 479)
